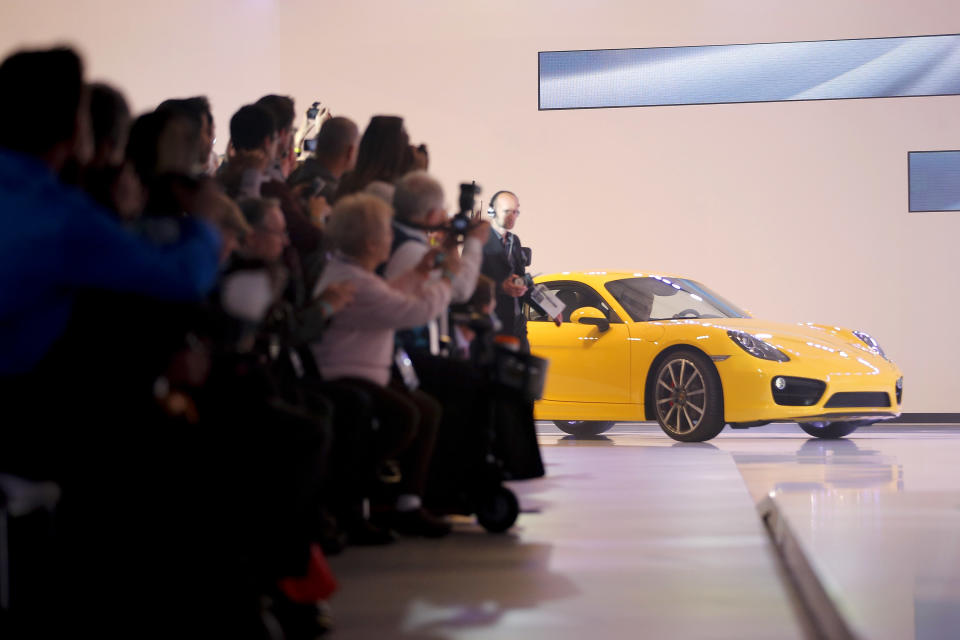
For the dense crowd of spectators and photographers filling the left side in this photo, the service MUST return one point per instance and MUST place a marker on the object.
(227, 369)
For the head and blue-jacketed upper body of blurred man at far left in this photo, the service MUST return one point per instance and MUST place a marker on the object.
(56, 241)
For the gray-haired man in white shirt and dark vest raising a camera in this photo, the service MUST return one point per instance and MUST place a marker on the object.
(418, 206)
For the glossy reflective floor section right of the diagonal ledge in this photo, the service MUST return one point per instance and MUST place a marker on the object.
(889, 556)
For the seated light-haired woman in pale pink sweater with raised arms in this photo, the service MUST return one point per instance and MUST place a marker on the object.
(357, 347)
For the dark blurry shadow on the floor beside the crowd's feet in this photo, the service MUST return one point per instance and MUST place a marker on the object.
(443, 600)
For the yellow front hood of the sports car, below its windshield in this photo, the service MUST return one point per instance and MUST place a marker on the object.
(805, 340)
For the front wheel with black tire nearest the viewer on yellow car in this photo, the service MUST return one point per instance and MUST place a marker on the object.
(688, 397)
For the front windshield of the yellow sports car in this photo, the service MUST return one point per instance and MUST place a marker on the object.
(658, 298)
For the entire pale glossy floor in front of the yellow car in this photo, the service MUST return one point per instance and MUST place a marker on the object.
(634, 535)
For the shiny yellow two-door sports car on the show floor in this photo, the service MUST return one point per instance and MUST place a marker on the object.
(646, 346)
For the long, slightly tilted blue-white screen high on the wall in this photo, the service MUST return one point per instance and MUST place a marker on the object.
(817, 70)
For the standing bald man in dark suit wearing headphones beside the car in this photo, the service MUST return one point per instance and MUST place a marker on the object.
(505, 261)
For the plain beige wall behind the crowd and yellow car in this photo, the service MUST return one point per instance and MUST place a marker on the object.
(797, 211)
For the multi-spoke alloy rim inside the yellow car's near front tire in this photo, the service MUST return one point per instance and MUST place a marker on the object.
(681, 396)
